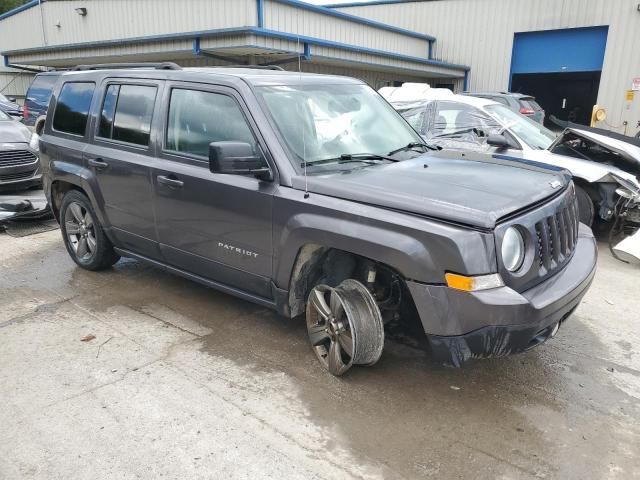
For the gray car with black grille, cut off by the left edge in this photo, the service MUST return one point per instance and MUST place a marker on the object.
(19, 161)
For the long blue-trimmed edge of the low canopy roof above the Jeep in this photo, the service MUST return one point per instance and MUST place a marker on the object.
(241, 31)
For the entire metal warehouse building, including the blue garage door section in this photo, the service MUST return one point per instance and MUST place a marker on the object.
(570, 54)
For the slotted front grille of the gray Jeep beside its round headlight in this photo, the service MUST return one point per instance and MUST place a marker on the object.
(557, 236)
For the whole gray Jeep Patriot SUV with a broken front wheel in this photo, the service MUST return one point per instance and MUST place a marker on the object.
(310, 195)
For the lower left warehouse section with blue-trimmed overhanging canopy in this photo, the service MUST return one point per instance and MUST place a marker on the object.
(294, 34)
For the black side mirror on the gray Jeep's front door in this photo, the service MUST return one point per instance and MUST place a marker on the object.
(237, 158)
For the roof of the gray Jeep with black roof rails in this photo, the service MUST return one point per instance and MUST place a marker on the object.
(257, 77)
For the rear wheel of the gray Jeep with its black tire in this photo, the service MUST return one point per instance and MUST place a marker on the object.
(82, 233)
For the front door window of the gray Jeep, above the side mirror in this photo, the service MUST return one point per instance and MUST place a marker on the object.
(198, 118)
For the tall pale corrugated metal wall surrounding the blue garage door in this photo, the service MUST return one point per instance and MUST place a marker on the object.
(479, 33)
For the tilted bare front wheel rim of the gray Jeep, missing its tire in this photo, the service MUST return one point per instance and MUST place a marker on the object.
(345, 326)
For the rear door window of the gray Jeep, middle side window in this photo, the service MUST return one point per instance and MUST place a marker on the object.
(126, 113)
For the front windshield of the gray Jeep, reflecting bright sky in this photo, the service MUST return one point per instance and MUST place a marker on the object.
(321, 122)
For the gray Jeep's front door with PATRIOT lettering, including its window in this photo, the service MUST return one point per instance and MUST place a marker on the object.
(213, 225)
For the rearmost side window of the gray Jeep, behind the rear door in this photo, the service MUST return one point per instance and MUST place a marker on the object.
(72, 107)
